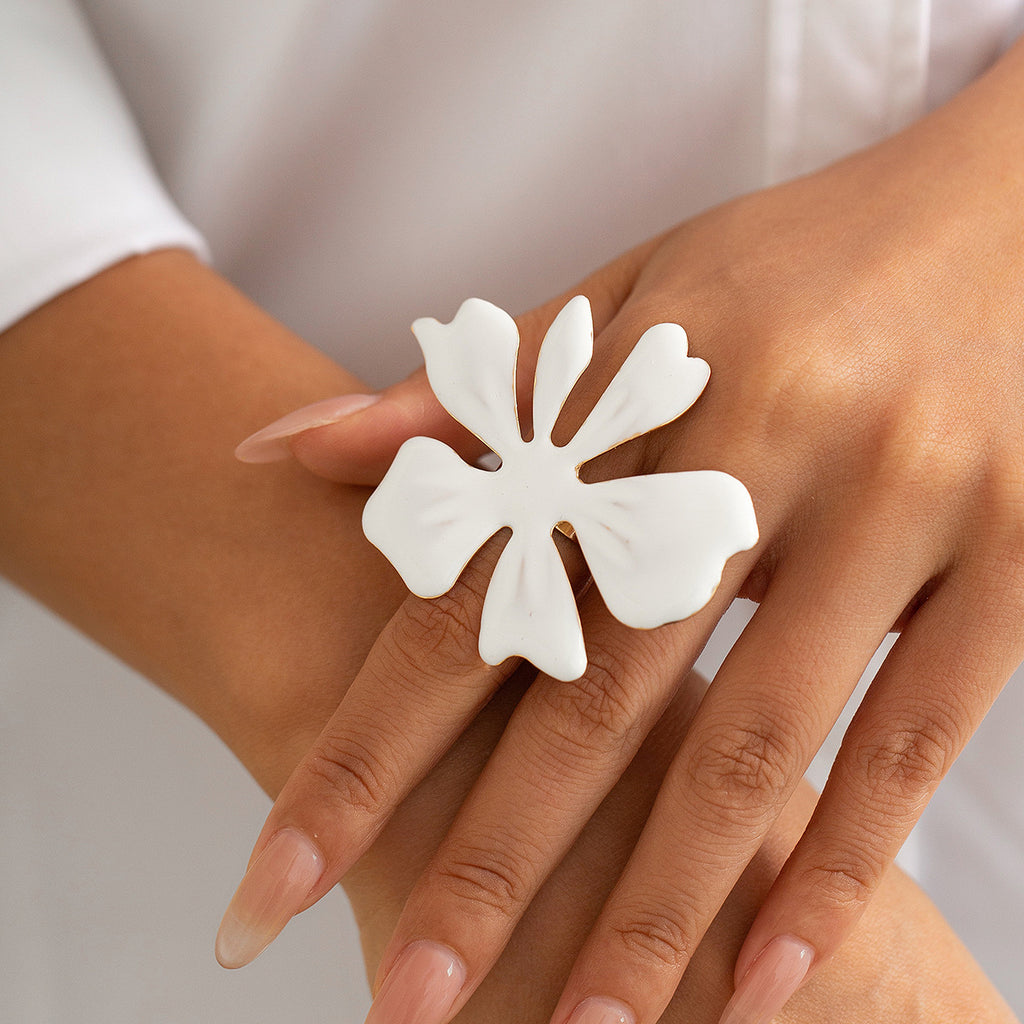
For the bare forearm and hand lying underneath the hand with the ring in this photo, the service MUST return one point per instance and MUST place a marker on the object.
(244, 594)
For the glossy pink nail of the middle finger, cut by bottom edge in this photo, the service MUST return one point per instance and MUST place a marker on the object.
(421, 989)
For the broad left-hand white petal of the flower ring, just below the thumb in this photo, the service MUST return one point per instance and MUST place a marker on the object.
(431, 516)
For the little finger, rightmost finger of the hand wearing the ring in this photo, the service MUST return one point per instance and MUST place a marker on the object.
(930, 696)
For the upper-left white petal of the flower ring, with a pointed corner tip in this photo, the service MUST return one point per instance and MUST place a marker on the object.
(472, 368)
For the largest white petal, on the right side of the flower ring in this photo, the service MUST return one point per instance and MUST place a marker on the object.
(657, 545)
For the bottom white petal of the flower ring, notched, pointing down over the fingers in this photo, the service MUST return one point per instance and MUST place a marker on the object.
(530, 610)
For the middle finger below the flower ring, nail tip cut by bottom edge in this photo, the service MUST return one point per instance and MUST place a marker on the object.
(564, 750)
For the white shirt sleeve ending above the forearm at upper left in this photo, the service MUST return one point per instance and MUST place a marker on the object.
(77, 190)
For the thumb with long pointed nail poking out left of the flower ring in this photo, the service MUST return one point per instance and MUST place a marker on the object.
(353, 439)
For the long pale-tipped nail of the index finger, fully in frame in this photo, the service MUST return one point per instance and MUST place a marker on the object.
(269, 898)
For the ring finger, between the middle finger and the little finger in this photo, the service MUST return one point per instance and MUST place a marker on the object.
(771, 707)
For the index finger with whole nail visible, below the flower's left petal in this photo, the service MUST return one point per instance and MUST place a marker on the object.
(422, 684)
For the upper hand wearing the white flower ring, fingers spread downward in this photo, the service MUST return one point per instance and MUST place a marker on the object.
(863, 329)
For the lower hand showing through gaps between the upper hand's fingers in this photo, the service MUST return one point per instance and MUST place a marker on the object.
(901, 966)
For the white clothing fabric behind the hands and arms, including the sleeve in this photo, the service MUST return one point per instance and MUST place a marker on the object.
(354, 166)
